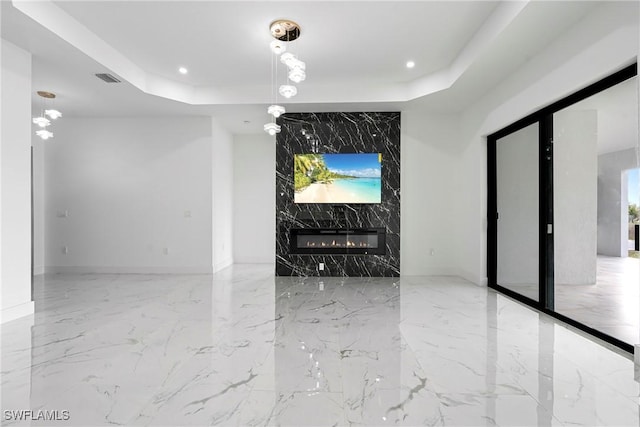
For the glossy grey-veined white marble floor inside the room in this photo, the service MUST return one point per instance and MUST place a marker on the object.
(245, 348)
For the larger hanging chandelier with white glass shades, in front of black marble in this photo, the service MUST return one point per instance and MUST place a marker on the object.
(283, 31)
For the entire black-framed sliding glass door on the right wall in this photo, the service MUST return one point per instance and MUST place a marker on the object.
(561, 205)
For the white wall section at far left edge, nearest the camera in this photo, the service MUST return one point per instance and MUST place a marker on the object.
(15, 183)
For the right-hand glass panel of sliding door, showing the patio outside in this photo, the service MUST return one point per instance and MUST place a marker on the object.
(595, 144)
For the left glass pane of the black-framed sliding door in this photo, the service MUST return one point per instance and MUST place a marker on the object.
(517, 197)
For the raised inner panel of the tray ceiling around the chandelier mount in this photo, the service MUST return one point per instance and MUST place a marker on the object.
(226, 43)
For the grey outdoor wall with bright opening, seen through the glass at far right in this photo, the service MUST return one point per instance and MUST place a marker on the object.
(613, 217)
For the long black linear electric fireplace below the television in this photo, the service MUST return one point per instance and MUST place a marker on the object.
(360, 241)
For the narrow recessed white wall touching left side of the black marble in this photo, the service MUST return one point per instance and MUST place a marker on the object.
(254, 198)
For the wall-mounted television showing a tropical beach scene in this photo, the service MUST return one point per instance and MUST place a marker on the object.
(338, 178)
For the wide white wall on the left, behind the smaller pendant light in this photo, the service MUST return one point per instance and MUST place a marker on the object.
(129, 195)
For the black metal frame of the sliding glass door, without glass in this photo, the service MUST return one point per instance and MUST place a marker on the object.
(544, 118)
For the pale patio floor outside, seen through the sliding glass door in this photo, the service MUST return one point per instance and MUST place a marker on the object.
(612, 305)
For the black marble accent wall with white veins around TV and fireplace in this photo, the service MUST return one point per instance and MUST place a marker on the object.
(304, 133)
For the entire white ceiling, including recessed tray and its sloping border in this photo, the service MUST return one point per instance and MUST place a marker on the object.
(355, 53)
